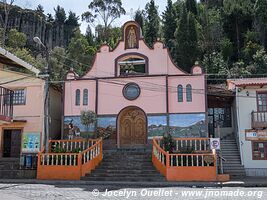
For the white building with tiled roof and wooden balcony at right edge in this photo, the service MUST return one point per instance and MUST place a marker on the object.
(251, 115)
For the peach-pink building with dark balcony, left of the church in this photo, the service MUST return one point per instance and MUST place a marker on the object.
(22, 135)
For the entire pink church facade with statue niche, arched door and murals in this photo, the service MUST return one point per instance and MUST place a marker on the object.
(137, 93)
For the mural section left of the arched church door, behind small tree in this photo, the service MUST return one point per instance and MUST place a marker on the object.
(106, 128)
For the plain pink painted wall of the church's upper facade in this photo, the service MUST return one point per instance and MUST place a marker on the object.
(153, 88)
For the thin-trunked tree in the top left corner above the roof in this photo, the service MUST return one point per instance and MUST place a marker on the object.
(7, 6)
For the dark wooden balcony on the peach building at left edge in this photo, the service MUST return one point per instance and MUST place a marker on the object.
(6, 105)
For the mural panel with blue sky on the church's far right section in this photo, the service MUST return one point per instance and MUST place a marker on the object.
(188, 125)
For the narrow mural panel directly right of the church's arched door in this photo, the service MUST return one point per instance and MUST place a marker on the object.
(157, 125)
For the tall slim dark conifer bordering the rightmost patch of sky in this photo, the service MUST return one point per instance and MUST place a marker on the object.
(169, 26)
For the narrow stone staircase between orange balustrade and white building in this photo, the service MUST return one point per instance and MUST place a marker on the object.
(230, 152)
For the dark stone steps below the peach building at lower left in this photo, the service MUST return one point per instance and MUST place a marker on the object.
(10, 169)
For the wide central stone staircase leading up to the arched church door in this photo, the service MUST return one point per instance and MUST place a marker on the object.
(127, 166)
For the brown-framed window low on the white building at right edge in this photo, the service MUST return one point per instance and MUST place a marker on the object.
(259, 150)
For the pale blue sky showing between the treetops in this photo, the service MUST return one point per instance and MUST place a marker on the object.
(80, 6)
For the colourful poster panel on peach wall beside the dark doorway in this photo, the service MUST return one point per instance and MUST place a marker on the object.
(31, 142)
